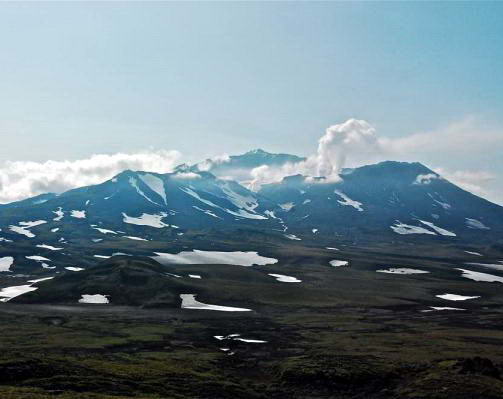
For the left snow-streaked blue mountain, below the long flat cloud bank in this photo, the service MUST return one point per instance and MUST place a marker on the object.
(143, 200)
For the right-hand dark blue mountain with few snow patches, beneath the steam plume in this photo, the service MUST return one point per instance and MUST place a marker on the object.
(386, 200)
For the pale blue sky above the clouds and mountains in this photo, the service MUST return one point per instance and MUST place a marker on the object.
(208, 78)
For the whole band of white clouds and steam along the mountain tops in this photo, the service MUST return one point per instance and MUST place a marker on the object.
(351, 143)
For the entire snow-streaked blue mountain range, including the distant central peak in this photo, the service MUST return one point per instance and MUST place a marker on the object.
(386, 202)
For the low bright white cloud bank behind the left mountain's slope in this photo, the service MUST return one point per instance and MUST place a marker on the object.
(23, 179)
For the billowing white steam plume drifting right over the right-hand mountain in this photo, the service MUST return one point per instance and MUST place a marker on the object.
(355, 142)
